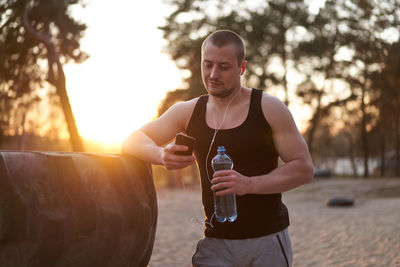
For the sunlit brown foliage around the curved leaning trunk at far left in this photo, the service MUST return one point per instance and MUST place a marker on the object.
(25, 60)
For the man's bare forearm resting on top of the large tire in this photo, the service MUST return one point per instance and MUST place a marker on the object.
(140, 145)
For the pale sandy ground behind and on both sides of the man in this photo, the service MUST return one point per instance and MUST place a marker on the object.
(366, 234)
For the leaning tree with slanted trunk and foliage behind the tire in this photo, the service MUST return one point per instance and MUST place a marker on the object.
(36, 38)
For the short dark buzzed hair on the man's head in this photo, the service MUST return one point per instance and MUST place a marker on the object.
(221, 38)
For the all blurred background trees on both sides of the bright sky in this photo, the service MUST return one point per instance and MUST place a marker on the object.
(335, 61)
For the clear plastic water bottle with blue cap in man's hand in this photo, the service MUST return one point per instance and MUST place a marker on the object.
(224, 206)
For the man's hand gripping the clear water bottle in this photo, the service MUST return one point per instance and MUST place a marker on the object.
(230, 182)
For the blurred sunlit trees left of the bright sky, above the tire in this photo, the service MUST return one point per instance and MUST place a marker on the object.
(36, 38)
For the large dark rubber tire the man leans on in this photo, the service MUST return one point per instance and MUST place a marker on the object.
(75, 209)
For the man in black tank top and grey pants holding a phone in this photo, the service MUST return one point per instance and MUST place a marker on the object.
(256, 129)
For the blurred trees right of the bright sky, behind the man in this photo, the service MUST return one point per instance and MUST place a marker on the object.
(339, 58)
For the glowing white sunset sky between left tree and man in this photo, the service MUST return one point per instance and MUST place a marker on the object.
(119, 87)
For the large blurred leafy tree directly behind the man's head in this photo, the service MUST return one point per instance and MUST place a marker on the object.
(264, 28)
